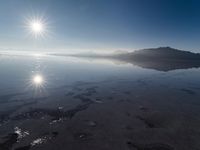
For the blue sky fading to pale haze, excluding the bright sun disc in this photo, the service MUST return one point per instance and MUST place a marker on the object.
(101, 24)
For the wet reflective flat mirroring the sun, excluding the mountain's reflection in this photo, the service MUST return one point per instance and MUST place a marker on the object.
(59, 103)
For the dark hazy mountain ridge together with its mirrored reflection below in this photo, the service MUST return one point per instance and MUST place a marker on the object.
(162, 58)
